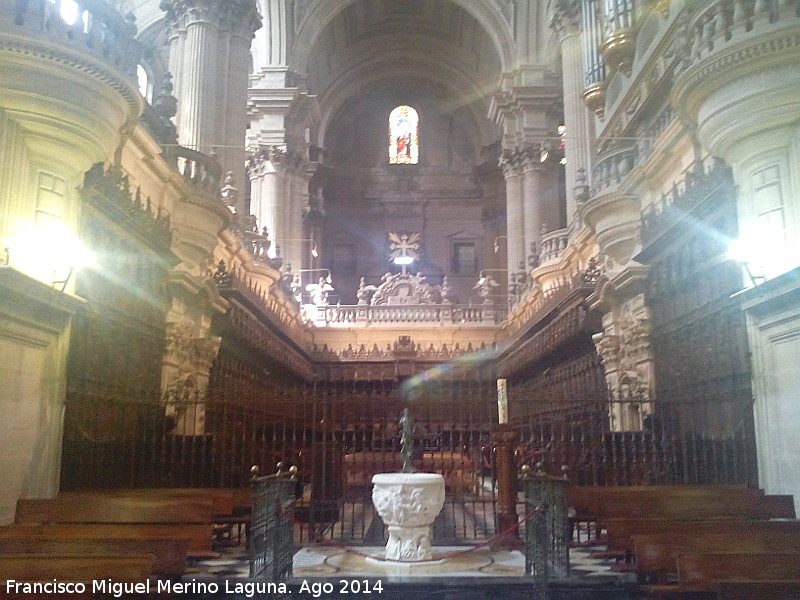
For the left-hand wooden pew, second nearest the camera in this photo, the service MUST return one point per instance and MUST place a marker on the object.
(169, 555)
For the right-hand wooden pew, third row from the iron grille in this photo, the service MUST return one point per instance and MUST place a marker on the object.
(655, 554)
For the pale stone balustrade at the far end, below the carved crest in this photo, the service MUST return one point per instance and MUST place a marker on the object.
(420, 314)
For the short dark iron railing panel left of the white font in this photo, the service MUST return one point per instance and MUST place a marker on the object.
(271, 530)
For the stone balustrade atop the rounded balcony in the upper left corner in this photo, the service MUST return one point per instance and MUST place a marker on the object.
(95, 28)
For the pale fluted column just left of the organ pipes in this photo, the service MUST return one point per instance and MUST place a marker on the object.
(566, 22)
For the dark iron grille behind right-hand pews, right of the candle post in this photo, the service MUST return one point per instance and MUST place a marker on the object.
(690, 442)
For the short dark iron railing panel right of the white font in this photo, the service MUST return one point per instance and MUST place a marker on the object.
(543, 490)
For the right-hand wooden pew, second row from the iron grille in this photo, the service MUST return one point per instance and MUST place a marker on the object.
(619, 532)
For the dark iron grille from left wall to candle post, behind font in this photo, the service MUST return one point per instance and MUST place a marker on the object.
(337, 432)
